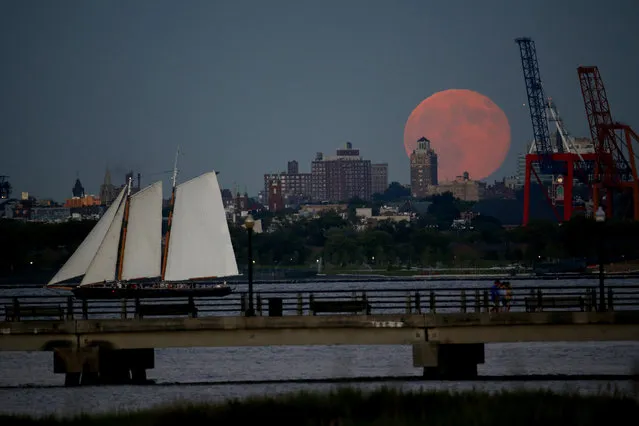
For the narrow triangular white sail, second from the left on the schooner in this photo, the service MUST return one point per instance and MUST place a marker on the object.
(103, 265)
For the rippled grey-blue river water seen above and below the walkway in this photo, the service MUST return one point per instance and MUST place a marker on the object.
(28, 385)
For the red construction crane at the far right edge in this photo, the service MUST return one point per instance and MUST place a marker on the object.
(614, 165)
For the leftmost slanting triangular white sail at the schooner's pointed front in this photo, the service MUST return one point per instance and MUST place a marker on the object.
(78, 263)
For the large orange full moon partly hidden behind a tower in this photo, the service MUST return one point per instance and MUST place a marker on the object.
(467, 130)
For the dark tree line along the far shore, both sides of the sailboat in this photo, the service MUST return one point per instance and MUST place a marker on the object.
(426, 241)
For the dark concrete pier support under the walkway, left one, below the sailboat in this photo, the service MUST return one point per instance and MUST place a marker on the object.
(95, 365)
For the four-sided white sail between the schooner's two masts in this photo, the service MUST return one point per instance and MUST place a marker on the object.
(143, 244)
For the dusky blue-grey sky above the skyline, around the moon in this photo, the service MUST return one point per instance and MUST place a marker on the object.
(245, 85)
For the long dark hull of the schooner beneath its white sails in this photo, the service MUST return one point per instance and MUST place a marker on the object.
(86, 293)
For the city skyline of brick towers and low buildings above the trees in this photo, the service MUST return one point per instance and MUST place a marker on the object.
(332, 179)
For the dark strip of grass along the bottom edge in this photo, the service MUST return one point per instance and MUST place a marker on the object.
(346, 407)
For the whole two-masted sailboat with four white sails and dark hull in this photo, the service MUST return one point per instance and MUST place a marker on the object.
(122, 256)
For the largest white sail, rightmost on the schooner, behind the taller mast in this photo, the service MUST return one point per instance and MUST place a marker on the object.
(200, 242)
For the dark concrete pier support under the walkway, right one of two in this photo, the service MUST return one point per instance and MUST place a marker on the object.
(448, 361)
